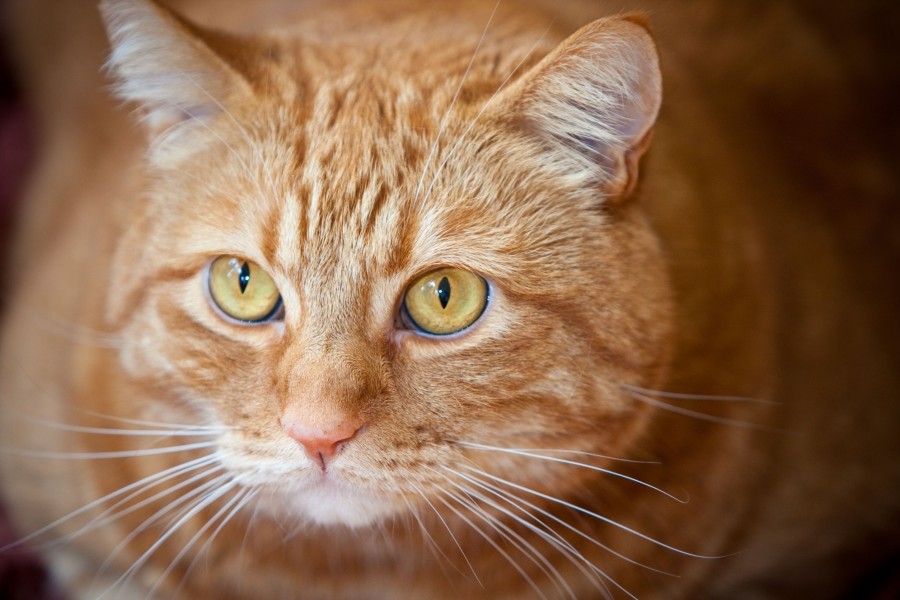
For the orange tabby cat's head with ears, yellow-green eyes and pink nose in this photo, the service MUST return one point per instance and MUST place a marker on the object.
(368, 256)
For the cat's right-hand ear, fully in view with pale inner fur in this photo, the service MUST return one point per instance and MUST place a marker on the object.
(592, 103)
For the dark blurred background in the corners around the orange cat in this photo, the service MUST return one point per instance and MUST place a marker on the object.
(837, 92)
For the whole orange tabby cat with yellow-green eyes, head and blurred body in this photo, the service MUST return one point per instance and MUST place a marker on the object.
(427, 300)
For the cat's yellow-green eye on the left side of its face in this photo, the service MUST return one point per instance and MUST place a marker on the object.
(242, 290)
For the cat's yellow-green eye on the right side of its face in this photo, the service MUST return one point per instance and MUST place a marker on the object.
(445, 301)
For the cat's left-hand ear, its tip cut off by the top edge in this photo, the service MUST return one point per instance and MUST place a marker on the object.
(166, 64)
